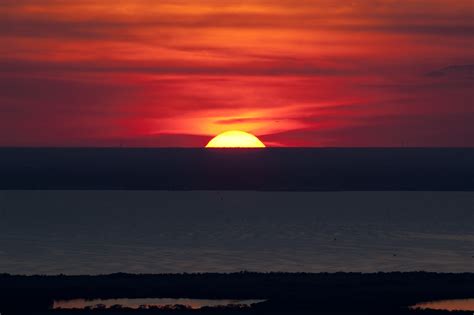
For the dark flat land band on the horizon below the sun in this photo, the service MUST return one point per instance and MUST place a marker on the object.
(289, 169)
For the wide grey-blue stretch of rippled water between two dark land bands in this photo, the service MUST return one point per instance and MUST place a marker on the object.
(102, 232)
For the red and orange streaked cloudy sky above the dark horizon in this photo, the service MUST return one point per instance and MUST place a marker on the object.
(294, 73)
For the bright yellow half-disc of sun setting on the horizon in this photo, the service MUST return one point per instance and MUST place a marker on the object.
(235, 139)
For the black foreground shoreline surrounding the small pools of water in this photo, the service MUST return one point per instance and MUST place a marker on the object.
(285, 293)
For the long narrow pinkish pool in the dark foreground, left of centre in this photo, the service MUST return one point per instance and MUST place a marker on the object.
(147, 303)
